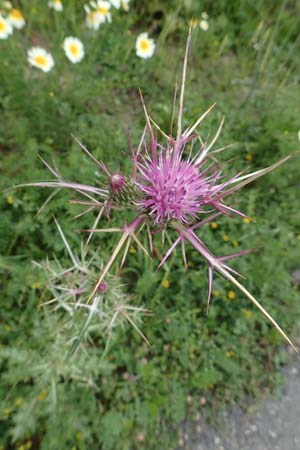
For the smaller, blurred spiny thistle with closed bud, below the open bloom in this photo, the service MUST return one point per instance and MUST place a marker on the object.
(69, 286)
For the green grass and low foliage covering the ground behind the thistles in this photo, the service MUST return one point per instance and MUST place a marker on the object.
(248, 63)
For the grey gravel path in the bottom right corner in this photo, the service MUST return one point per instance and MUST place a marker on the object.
(273, 426)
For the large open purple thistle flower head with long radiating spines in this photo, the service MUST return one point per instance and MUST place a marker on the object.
(176, 184)
